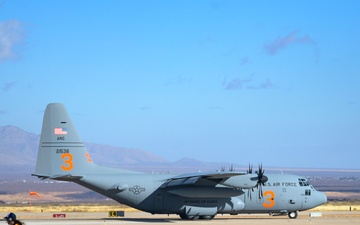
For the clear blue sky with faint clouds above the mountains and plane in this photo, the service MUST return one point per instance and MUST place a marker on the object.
(275, 82)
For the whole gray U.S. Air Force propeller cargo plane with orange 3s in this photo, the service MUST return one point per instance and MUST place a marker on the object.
(63, 156)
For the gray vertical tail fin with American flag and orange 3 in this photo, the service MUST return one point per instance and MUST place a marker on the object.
(61, 151)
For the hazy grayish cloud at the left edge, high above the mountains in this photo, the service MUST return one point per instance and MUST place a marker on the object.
(11, 36)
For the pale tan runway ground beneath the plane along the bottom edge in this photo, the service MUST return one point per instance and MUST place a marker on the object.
(78, 218)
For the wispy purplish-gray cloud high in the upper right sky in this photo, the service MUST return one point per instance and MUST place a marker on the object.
(282, 42)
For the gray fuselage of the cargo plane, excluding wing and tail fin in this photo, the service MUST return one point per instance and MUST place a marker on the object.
(281, 193)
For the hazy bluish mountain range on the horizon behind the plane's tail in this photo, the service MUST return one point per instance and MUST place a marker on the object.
(18, 150)
